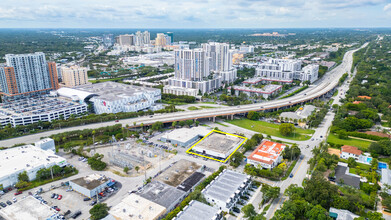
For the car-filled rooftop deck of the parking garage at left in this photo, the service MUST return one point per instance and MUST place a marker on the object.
(35, 105)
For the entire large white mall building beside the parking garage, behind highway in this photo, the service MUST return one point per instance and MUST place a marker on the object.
(111, 97)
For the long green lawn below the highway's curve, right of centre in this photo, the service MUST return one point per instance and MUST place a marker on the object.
(272, 129)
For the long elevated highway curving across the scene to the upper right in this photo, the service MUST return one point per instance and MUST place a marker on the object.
(318, 89)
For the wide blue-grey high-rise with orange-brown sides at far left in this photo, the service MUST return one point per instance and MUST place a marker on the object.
(27, 73)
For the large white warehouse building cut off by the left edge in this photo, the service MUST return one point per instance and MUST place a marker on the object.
(27, 158)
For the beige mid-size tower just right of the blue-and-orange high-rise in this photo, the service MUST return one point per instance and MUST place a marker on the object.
(74, 76)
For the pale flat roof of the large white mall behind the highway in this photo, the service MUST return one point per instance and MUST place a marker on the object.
(112, 91)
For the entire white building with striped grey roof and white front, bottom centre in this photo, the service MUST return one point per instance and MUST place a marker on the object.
(225, 191)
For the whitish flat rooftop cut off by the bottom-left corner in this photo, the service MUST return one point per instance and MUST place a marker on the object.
(29, 208)
